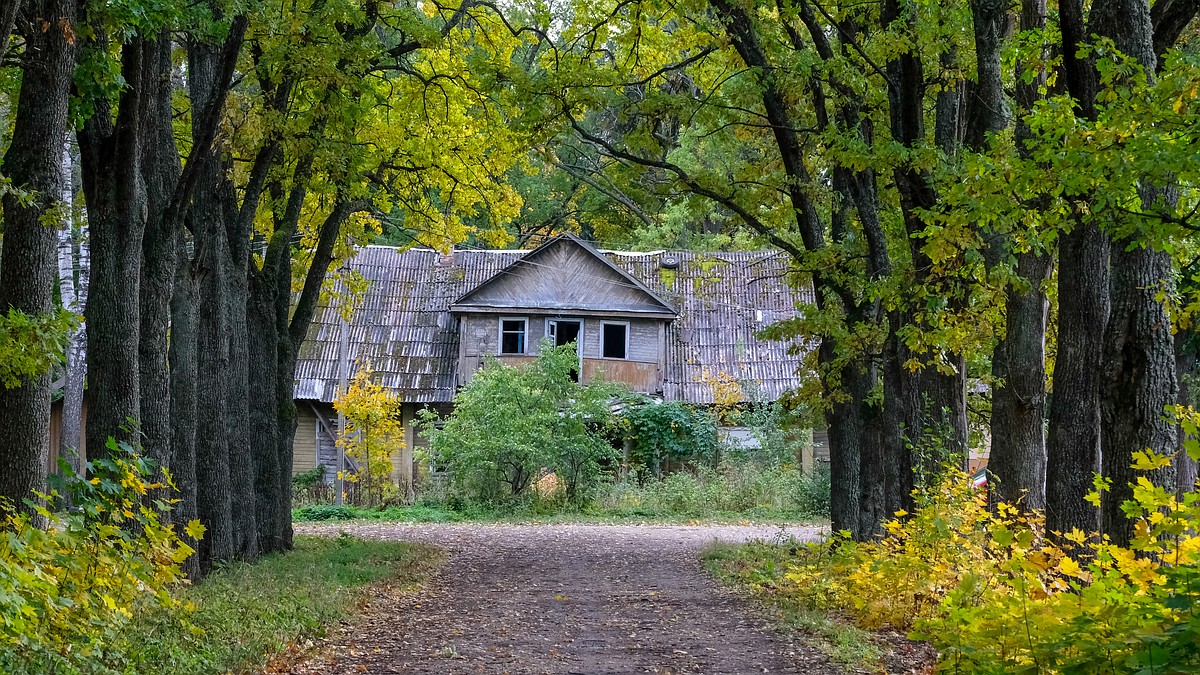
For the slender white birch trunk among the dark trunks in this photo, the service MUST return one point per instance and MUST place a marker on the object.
(74, 268)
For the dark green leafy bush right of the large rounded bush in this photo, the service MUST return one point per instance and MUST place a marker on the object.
(668, 432)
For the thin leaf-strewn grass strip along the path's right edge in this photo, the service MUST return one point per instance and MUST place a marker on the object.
(758, 569)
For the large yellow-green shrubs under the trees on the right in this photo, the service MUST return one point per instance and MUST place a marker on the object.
(997, 595)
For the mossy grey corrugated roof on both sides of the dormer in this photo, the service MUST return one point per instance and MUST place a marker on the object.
(406, 331)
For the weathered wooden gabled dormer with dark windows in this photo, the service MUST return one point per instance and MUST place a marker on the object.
(568, 292)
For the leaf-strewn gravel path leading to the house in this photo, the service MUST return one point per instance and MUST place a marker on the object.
(565, 600)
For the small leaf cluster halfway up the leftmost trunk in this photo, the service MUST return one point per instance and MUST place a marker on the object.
(32, 345)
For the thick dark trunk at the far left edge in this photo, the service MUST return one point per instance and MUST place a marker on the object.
(27, 272)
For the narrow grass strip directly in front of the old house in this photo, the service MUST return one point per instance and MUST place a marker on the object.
(423, 513)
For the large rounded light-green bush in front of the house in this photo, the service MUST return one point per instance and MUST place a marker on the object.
(512, 426)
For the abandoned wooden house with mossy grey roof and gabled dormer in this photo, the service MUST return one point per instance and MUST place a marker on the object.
(657, 321)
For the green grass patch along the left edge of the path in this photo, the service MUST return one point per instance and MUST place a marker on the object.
(245, 614)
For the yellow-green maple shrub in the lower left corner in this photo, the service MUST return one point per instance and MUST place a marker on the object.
(69, 592)
